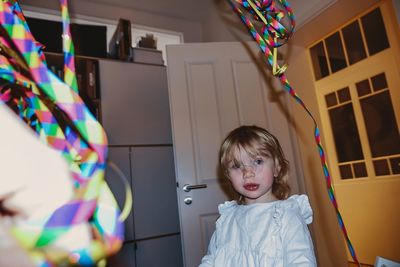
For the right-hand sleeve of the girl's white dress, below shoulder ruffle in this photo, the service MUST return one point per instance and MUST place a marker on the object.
(297, 243)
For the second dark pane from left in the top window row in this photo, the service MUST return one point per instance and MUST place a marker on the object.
(335, 52)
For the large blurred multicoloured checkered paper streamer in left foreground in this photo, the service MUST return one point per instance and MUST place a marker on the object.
(54, 110)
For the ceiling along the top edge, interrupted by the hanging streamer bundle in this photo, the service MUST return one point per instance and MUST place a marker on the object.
(197, 10)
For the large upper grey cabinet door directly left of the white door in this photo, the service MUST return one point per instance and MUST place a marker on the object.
(134, 103)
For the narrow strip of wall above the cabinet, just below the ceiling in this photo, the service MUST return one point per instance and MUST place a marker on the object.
(192, 30)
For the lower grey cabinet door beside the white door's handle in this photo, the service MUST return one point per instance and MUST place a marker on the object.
(154, 191)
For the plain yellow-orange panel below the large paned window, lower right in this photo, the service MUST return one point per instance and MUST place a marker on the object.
(372, 214)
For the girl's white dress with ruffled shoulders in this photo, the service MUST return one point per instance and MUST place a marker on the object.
(271, 234)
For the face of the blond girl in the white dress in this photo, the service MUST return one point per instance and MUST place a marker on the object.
(253, 177)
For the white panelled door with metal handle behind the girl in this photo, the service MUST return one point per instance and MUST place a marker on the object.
(214, 88)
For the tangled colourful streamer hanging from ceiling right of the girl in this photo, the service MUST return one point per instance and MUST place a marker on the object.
(274, 34)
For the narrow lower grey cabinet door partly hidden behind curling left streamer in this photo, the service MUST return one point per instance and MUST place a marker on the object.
(120, 156)
